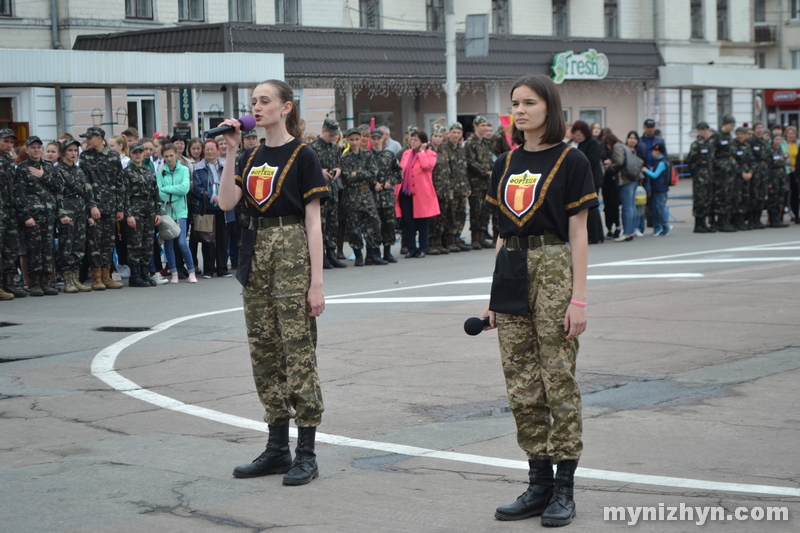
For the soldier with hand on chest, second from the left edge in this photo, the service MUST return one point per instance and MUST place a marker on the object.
(37, 186)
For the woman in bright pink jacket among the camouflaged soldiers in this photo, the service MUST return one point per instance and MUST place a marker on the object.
(416, 197)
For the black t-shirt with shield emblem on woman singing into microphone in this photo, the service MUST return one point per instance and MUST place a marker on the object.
(280, 181)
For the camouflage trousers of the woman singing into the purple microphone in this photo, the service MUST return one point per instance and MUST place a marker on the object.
(282, 337)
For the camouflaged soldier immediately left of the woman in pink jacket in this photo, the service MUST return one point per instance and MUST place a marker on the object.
(389, 175)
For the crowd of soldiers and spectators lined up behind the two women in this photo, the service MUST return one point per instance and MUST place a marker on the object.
(72, 210)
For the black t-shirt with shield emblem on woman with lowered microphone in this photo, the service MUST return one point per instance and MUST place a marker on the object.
(531, 199)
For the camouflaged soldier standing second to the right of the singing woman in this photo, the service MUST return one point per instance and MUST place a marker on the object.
(360, 175)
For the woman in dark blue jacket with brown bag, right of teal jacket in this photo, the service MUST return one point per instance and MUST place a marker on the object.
(209, 219)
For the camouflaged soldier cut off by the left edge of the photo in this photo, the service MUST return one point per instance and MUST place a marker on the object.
(9, 233)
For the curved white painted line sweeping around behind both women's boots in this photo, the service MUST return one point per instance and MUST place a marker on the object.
(103, 369)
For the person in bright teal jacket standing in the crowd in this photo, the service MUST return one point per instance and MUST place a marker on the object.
(174, 183)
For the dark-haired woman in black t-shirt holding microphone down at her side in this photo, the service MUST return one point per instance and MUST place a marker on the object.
(542, 192)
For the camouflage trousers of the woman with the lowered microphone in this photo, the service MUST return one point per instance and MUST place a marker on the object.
(539, 363)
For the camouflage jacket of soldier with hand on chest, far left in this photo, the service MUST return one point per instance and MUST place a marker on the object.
(36, 196)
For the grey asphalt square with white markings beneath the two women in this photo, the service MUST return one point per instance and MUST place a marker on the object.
(689, 372)
